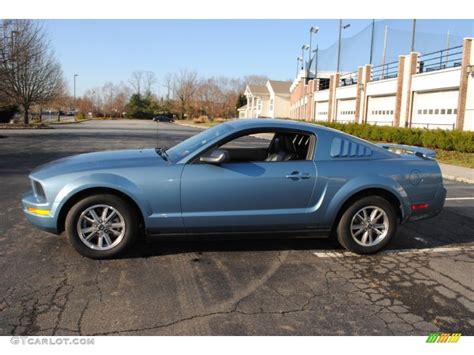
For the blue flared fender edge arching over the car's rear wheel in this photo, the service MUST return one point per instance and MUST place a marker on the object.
(360, 183)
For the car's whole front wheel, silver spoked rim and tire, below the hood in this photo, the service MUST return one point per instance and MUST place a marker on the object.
(101, 226)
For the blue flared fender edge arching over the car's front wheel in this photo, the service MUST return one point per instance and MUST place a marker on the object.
(102, 180)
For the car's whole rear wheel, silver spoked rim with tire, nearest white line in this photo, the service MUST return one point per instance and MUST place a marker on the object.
(368, 225)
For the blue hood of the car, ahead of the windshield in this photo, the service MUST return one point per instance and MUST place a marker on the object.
(99, 161)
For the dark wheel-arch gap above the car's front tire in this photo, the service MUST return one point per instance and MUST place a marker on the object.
(79, 195)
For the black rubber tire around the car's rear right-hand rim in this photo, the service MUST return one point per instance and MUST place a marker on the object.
(344, 234)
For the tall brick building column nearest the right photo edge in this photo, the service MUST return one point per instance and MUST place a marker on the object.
(464, 119)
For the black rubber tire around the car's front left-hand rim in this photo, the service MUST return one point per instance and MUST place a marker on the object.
(127, 213)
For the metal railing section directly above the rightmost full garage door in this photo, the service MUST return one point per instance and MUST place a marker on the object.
(443, 59)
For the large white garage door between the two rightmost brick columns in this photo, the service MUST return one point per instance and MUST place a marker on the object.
(435, 110)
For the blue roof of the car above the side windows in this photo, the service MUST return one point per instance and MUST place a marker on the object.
(275, 123)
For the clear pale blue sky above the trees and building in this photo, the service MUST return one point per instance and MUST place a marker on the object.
(110, 50)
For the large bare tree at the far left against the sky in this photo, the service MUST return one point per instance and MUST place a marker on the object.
(29, 72)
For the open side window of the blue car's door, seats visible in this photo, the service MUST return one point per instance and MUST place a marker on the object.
(269, 146)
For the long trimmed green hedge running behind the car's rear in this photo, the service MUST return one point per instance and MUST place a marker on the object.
(436, 139)
